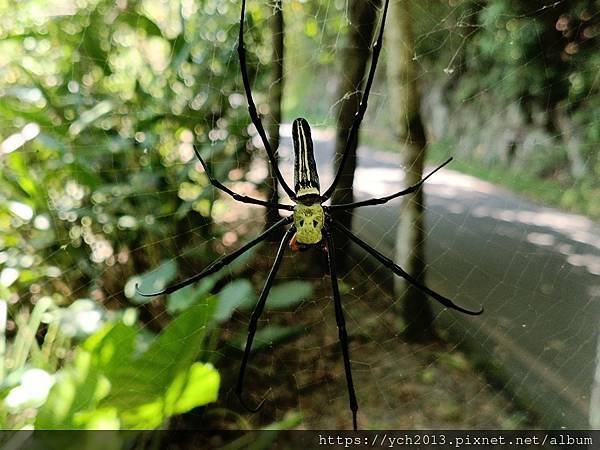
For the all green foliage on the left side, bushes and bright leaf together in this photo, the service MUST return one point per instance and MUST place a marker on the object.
(100, 102)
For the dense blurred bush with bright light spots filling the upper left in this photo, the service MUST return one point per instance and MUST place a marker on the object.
(97, 136)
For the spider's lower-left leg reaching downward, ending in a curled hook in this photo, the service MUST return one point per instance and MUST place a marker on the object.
(256, 313)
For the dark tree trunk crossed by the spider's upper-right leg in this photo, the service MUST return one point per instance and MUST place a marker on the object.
(355, 59)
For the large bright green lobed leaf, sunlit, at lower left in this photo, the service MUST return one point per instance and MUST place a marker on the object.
(107, 386)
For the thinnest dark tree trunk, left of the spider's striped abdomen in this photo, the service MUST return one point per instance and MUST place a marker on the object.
(275, 95)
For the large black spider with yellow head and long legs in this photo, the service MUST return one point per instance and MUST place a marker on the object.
(311, 222)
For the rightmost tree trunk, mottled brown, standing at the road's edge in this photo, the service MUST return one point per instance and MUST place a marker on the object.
(405, 107)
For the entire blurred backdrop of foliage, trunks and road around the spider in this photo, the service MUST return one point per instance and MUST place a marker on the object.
(100, 102)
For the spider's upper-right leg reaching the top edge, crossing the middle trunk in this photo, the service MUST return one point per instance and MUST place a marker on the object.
(362, 107)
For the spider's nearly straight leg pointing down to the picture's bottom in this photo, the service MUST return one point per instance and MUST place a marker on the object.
(341, 324)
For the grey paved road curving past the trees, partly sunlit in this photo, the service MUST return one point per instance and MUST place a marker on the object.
(535, 269)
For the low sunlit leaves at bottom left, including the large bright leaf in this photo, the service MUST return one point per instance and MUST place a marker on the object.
(121, 376)
